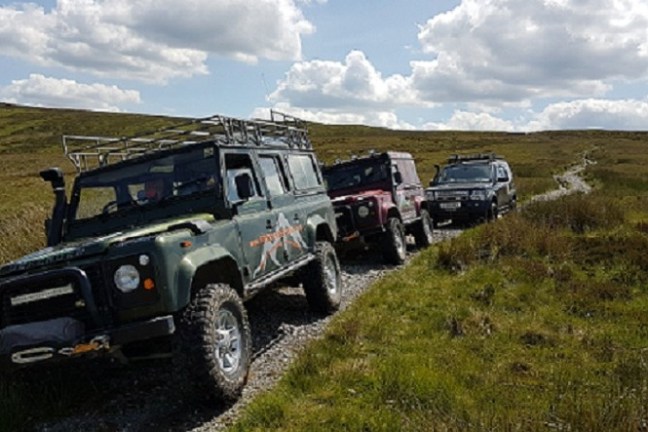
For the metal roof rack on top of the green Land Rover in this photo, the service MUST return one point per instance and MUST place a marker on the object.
(282, 130)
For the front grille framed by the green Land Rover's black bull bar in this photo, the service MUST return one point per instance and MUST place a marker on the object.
(43, 297)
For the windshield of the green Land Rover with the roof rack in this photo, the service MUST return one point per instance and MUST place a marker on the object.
(145, 184)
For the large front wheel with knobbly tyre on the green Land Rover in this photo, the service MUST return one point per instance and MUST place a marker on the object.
(216, 343)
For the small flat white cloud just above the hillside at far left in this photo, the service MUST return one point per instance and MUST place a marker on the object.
(39, 90)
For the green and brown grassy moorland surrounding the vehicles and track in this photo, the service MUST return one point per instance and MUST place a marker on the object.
(533, 322)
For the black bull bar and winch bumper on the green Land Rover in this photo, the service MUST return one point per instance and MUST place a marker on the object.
(65, 313)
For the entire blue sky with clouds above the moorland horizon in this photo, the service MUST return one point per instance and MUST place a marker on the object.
(490, 65)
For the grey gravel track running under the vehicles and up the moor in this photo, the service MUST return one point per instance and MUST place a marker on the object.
(139, 398)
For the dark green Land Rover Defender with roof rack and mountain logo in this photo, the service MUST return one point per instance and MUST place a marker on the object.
(163, 238)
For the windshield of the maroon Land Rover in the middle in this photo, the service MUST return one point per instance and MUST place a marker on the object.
(355, 175)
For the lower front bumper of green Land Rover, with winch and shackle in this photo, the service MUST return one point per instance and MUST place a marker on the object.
(63, 338)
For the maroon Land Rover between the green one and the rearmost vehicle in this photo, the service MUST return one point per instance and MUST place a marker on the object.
(378, 200)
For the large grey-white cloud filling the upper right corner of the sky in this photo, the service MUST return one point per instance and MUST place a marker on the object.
(509, 50)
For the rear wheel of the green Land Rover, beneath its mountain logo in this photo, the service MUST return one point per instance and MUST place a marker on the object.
(322, 280)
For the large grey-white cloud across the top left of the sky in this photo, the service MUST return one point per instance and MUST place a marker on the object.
(150, 40)
